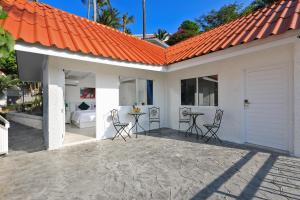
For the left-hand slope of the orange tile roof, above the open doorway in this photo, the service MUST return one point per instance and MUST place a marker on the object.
(39, 23)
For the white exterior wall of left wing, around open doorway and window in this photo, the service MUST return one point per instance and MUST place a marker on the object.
(107, 94)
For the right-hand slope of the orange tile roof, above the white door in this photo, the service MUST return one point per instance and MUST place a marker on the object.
(273, 20)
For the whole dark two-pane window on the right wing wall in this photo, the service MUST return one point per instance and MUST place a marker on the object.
(201, 91)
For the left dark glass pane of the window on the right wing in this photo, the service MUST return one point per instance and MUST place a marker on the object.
(188, 91)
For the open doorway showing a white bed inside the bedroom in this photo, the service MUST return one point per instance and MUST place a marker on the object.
(80, 107)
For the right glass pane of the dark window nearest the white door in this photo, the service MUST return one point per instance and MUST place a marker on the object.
(208, 91)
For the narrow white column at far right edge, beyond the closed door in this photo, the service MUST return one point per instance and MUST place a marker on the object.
(297, 99)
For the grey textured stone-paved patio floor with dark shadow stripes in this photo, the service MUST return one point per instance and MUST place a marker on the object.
(166, 166)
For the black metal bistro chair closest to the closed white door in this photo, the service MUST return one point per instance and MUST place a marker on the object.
(212, 129)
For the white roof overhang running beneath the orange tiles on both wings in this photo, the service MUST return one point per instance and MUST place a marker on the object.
(37, 54)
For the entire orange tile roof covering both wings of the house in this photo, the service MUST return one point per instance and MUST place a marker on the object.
(38, 23)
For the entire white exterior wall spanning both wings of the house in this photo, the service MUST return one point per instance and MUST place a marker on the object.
(167, 93)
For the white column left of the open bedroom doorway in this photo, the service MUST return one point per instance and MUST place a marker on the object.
(54, 109)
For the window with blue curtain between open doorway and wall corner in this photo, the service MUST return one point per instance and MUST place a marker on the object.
(134, 91)
